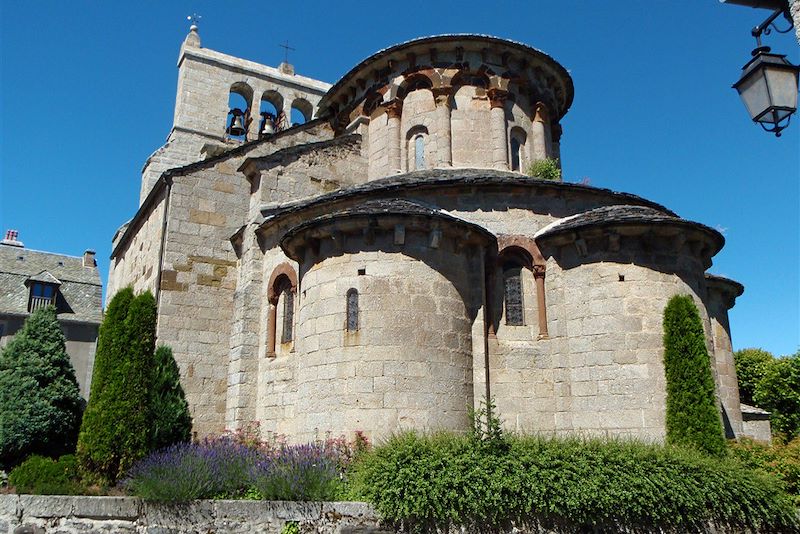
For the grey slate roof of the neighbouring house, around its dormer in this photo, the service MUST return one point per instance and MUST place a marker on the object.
(80, 290)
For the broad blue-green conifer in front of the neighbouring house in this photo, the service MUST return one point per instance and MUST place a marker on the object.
(40, 403)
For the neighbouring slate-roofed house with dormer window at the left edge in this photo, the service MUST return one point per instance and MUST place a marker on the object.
(30, 279)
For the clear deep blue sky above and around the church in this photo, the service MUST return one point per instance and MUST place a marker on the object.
(88, 90)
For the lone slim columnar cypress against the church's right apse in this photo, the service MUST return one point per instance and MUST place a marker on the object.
(692, 416)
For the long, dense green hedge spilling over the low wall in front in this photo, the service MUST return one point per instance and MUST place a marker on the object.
(441, 480)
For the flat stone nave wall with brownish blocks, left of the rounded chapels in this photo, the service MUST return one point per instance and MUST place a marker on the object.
(198, 279)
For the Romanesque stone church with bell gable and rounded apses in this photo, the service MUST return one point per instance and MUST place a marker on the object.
(372, 256)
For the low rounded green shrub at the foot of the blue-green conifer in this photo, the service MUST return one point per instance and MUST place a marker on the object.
(45, 476)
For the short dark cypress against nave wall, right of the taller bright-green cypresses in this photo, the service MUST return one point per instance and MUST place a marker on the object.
(171, 420)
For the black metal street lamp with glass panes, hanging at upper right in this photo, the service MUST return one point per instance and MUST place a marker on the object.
(768, 85)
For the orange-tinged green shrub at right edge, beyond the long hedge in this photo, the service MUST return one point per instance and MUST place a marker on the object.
(780, 460)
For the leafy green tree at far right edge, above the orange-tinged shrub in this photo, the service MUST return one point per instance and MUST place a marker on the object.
(779, 392)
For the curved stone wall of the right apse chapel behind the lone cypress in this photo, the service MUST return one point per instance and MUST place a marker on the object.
(605, 311)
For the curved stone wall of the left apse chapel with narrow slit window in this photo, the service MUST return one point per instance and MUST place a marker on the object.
(409, 363)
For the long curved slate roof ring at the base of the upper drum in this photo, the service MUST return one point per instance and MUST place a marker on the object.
(442, 178)
